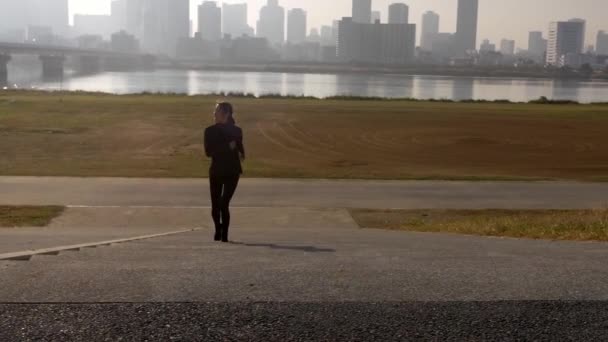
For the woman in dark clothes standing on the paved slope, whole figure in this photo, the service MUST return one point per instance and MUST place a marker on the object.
(224, 145)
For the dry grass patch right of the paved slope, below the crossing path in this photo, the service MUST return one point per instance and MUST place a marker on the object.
(579, 225)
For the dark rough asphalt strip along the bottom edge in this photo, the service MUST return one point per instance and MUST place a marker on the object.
(431, 321)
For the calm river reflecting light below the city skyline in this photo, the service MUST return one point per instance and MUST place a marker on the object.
(323, 85)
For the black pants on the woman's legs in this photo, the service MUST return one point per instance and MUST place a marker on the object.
(222, 189)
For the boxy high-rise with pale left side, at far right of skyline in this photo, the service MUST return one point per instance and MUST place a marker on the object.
(565, 37)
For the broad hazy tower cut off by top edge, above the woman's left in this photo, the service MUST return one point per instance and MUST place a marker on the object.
(165, 23)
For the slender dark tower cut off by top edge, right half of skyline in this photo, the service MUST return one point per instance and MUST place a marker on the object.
(466, 27)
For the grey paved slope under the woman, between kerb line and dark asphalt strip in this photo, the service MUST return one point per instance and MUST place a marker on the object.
(312, 256)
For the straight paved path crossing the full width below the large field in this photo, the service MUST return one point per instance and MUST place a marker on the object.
(305, 193)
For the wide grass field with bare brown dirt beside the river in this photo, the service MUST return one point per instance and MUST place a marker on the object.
(161, 136)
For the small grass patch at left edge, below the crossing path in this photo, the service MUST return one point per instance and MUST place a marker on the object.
(28, 216)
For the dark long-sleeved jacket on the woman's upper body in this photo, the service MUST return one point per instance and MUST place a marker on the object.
(224, 160)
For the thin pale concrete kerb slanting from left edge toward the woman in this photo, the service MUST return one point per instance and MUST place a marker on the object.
(27, 255)
